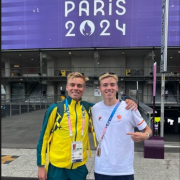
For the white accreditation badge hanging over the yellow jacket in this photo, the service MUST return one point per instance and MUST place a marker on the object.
(77, 151)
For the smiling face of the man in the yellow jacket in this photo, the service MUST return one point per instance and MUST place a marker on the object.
(75, 88)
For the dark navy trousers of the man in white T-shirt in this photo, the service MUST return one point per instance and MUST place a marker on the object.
(106, 177)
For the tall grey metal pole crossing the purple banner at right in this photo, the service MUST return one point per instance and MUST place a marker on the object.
(163, 64)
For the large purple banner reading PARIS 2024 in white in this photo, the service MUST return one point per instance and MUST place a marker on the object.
(27, 24)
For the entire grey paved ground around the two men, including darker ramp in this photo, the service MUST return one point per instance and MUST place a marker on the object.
(20, 134)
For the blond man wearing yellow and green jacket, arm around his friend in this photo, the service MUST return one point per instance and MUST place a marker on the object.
(67, 144)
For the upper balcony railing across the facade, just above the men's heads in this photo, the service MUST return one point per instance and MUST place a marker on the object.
(88, 71)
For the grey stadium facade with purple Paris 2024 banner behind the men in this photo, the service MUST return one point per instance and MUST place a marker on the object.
(42, 41)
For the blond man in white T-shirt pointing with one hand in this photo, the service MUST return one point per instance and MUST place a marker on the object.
(114, 127)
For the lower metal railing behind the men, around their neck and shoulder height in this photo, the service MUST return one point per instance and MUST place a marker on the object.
(26, 103)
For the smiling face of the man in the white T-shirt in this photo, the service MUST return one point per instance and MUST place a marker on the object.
(108, 88)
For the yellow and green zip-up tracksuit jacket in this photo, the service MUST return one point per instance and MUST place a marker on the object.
(59, 149)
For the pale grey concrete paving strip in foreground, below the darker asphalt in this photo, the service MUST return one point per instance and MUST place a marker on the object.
(145, 169)
